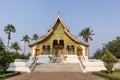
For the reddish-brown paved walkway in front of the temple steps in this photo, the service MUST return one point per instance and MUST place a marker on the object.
(56, 76)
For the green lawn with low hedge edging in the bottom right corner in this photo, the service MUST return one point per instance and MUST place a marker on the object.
(114, 76)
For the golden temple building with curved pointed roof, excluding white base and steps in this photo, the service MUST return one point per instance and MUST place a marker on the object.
(58, 41)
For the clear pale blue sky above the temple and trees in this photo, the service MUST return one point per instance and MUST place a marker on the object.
(36, 16)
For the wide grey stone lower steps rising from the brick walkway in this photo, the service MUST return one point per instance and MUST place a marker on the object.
(57, 67)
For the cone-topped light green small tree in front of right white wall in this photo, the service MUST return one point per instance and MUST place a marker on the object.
(109, 60)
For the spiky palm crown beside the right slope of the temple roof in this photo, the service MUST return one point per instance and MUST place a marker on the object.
(86, 34)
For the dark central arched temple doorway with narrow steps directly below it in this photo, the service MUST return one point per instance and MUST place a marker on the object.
(58, 47)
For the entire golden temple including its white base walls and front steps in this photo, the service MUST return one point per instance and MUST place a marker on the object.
(58, 50)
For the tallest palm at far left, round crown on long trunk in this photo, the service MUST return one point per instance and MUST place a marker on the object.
(8, 29)
